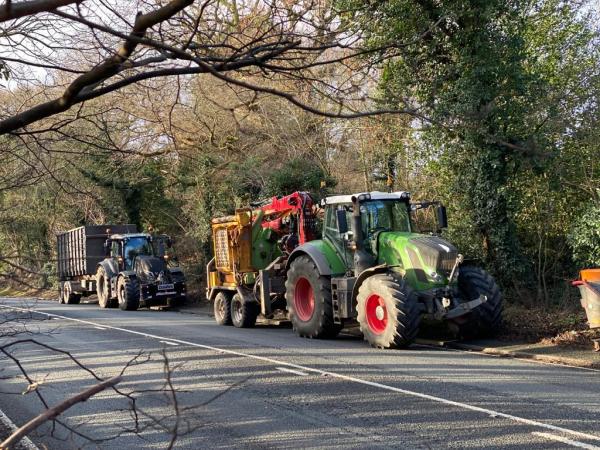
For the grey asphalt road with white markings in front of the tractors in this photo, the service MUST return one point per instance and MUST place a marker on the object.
(267, 388)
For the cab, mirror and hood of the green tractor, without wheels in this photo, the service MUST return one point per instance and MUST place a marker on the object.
(371, 229)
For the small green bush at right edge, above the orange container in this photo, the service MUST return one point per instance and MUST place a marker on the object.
(584, 237)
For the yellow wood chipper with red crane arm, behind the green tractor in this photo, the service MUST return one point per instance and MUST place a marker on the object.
(247, 274)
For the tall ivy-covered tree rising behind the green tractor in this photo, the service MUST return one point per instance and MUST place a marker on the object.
(495, 108)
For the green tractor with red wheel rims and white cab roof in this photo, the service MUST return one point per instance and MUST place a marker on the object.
(372, 267)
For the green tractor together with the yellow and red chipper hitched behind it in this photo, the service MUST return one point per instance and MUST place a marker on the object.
(369, 266)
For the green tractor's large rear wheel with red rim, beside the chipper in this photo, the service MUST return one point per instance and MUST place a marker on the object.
(308, 297)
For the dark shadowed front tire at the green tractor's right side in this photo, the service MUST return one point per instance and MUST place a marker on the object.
(485, 320)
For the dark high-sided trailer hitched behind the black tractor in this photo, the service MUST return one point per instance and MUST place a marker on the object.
(79, 252)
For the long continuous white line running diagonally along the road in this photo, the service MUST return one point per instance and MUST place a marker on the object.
(339, 376)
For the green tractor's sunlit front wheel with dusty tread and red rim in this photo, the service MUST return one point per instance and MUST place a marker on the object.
(388, 312)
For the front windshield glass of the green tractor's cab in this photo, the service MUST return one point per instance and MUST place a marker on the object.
(384, 215)
